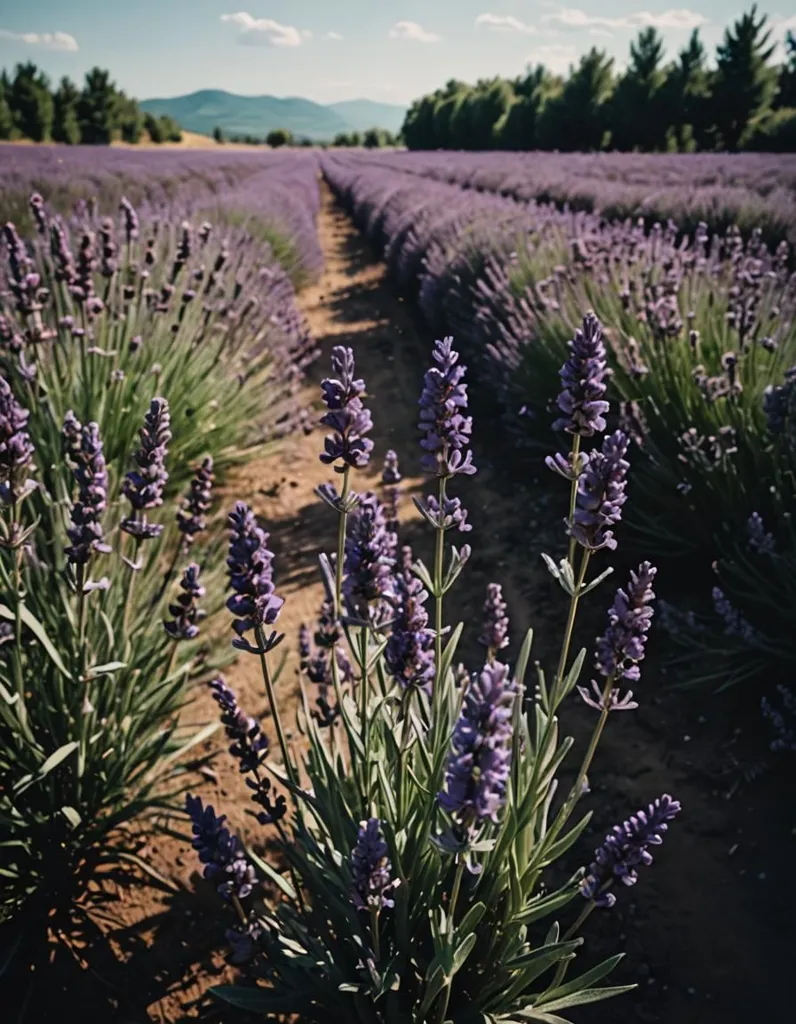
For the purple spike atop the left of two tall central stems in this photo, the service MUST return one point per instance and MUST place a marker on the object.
(347, 415)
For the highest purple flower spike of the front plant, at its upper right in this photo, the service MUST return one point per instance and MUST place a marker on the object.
(583, 380)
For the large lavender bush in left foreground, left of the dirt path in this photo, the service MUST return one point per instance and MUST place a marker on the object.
(142, 357)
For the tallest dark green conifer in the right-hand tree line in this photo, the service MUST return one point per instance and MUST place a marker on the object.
(744, 83)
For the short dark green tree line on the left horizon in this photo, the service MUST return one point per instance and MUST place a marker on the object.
(97, 115)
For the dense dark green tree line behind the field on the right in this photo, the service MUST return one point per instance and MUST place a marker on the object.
(742, 102)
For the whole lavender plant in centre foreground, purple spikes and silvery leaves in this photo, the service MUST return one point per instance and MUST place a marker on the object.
(424, 867)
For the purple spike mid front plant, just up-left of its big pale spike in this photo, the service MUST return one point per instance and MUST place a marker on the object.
(410, 652)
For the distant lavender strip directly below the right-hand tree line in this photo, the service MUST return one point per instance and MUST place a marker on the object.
(748, 191)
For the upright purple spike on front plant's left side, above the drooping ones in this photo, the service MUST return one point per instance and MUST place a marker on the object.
(252, 576)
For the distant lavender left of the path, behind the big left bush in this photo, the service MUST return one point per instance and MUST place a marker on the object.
(275, 191)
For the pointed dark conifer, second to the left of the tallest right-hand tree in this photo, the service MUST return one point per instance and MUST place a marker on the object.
(637, 109)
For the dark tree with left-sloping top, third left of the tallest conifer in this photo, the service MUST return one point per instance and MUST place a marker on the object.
(578, 119)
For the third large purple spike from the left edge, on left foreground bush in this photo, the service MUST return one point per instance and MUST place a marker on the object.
(144, 487)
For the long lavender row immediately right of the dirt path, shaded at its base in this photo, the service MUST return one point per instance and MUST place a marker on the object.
(702, 338)
